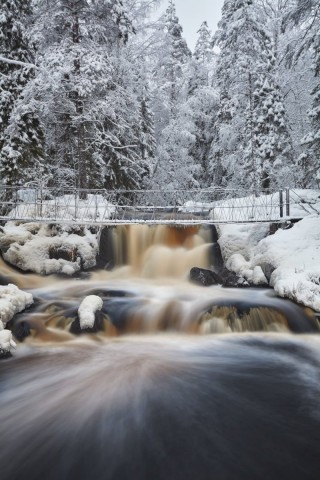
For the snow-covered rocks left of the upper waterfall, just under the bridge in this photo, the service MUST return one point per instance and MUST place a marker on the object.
(31, 246)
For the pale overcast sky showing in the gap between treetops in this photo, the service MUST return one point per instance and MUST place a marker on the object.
(192, 13)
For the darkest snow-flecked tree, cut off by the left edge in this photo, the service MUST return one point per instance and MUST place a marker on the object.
(21, 135)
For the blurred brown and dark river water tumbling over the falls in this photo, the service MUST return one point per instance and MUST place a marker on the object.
(176, 381)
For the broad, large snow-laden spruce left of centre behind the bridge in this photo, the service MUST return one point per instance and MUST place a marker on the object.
(86, 95)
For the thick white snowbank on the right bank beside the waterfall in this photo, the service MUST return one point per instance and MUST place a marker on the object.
(292, 257)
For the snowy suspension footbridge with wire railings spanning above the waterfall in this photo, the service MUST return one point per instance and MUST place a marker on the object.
(116, 207)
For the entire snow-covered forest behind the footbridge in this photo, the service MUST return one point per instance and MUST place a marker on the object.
(100, 94)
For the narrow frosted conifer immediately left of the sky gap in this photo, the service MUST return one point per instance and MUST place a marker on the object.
(173, 165)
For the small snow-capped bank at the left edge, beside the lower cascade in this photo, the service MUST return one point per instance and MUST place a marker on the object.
(12, 301)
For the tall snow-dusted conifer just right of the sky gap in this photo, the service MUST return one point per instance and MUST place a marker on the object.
(245, 68)
